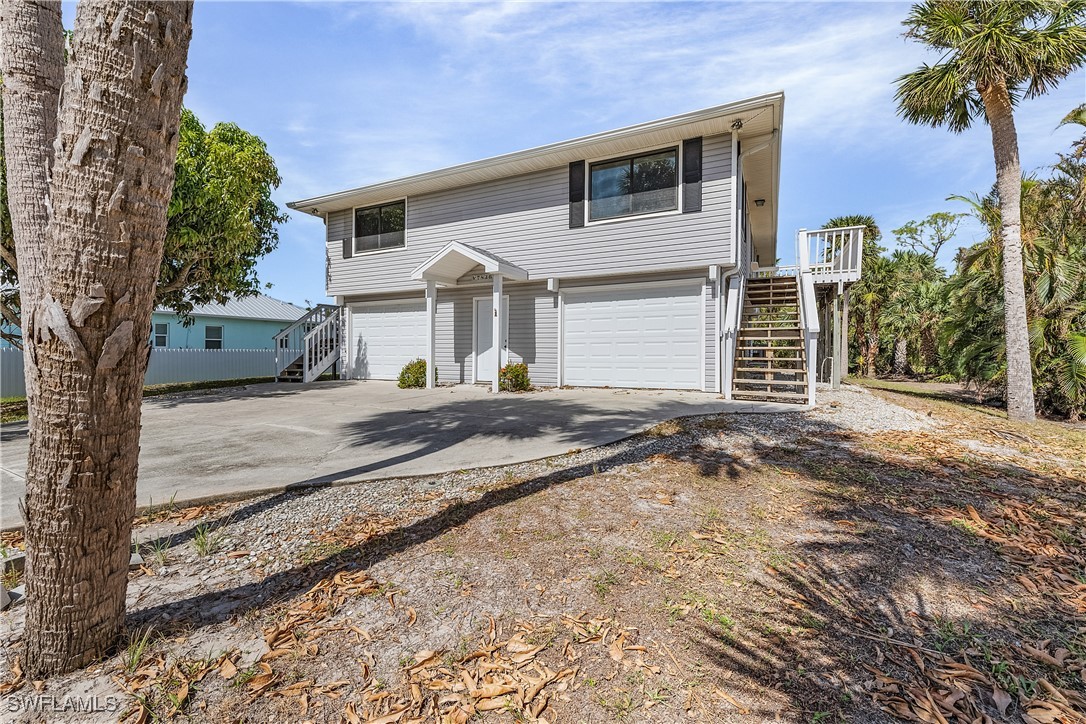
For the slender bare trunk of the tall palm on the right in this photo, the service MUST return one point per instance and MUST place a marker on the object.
(997, 106)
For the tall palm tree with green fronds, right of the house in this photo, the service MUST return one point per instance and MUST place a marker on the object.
(995, 54)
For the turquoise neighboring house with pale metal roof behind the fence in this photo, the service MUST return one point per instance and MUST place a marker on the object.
(250, 323)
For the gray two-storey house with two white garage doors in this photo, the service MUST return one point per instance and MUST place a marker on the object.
(639, 258)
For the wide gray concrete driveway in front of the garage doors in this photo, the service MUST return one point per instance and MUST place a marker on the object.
(272, 437)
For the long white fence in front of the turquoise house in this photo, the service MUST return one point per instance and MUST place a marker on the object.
(166, 366)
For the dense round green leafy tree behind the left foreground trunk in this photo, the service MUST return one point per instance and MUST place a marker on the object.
(221, 223)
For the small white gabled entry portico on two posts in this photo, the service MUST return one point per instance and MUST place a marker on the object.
(447, 268)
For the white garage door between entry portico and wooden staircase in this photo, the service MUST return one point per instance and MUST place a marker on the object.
(634, 338)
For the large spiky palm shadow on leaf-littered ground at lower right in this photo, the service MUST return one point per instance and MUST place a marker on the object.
(874, 563)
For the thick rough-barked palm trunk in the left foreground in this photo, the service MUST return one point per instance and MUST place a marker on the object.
(117, 141)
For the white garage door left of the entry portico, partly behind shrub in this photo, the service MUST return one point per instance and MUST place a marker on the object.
(386, 337)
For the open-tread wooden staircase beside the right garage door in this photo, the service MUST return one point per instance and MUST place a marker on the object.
(771, 351)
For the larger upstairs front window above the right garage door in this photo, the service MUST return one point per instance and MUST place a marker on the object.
(645, 184)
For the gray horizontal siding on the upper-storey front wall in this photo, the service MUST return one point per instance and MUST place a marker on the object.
(525, 220)
